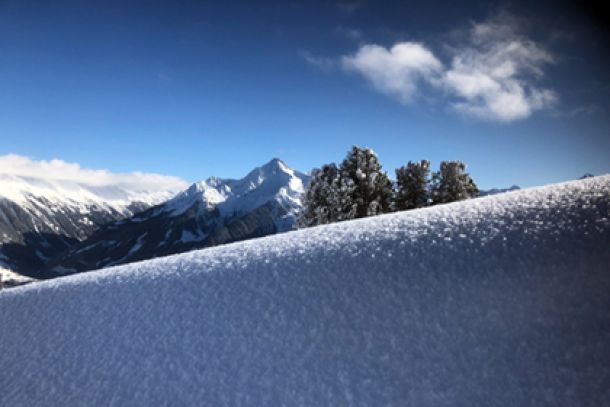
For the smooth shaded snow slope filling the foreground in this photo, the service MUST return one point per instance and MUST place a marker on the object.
(497, 301)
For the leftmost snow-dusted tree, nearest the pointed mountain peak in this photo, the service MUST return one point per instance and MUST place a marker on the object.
(321, 200)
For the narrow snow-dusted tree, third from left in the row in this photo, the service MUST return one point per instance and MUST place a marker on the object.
(412, 185)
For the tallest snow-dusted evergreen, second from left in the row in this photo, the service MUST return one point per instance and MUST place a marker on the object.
(364, 189)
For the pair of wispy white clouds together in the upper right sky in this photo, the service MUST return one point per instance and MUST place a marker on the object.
(492, 72)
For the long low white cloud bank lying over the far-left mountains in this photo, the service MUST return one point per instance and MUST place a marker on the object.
(60, 170)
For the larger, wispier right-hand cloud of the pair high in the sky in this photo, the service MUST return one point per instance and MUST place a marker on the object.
(493, 74)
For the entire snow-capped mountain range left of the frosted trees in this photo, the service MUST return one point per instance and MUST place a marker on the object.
(55, 228)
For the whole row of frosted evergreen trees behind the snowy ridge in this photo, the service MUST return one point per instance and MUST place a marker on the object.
(358, 188)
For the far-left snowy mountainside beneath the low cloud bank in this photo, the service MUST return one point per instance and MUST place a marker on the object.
(39, 218)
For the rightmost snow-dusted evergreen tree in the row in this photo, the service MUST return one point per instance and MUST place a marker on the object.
(452, 183)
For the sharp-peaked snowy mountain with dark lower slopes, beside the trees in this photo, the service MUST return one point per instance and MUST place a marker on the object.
(208, 213)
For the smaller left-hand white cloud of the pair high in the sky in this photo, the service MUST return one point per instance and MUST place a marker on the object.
(395, 71)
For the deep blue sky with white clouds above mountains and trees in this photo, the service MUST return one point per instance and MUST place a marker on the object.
(191, 89)
